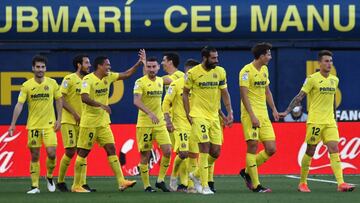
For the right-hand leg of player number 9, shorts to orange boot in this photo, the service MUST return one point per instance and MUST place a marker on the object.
(106, 139)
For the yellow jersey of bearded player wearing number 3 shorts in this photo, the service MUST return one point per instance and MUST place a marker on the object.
(204, 86)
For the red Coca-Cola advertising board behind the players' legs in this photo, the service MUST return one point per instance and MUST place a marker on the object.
(15, 157)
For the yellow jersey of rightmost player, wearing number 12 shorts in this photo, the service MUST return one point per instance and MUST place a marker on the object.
(320, 94)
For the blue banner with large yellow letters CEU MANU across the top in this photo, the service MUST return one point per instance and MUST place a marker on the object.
(177, 19)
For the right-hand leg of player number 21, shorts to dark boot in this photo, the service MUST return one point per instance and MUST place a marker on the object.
(163, 139)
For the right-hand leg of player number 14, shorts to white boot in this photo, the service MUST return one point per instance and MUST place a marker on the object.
(50, 142)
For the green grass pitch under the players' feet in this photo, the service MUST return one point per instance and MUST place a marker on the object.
(229, 189)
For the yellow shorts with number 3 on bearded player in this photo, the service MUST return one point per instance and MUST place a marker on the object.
(205, 130)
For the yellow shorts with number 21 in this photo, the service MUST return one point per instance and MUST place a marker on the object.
(146, 135)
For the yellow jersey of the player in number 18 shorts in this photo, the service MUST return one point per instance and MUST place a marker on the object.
(173, 101)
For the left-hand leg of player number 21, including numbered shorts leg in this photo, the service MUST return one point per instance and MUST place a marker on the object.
(144, 141)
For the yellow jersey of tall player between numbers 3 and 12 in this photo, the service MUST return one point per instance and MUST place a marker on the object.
(256, 81)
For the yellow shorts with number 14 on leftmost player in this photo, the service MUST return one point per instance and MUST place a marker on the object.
(37, 136)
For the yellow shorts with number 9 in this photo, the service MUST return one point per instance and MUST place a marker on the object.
(102, 135)
